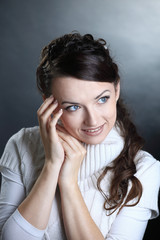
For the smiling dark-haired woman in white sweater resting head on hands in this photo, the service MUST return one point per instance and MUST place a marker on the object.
(82, 173)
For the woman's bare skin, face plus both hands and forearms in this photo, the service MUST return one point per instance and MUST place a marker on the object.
(64, 152)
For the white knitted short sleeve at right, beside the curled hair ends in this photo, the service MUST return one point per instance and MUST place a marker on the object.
(148, 173)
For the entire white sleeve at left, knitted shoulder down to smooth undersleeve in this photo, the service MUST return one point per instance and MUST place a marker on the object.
(13, 190)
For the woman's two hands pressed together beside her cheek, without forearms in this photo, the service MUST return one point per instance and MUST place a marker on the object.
(60, 147)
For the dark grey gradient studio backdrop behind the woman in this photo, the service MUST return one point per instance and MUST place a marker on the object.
(131, 28)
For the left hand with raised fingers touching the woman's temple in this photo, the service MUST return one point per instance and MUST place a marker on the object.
(48, 118)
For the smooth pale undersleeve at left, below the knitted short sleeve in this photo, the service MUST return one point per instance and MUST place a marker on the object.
(11, 221)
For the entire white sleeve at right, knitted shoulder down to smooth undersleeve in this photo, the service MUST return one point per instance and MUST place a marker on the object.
(136, 217)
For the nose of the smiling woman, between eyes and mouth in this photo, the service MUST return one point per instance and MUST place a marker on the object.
(91, 118)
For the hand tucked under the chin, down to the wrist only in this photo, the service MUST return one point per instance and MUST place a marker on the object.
(74, 155)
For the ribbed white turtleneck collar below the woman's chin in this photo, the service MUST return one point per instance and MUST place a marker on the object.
(100, 155)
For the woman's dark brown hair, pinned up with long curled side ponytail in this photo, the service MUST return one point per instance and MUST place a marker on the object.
(83, 57)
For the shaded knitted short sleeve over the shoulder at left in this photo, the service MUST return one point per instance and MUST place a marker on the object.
(21, 147)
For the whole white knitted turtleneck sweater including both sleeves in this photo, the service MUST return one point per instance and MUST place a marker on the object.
(22, 162)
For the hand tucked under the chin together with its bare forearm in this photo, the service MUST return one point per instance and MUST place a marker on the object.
(77, 221)
